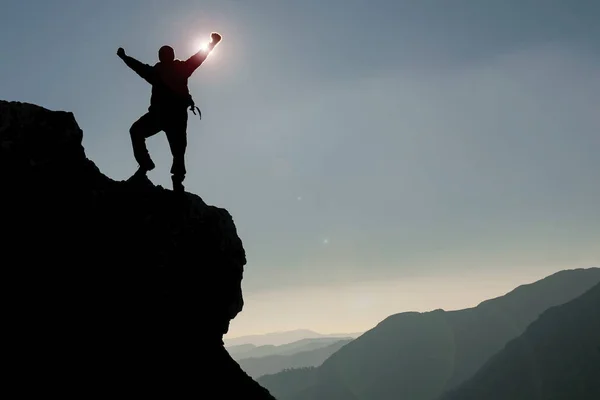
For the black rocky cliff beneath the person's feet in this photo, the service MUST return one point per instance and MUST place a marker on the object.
(111, 287)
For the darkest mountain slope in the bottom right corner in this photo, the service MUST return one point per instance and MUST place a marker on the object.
(557, 358)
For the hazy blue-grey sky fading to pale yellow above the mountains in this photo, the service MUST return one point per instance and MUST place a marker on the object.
(377, 156)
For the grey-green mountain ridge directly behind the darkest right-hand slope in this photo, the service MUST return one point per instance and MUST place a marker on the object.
(420, 356)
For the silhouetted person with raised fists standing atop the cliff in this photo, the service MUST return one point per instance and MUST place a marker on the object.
(168, 106)
